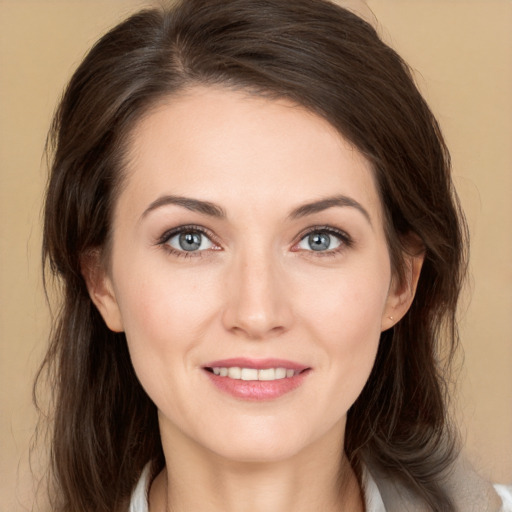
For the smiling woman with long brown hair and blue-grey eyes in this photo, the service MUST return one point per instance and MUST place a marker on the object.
(251, 212)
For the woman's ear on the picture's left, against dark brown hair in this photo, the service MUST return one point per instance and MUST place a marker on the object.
(101, 291)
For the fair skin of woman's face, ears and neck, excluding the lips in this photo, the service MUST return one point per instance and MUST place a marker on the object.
(255, 289)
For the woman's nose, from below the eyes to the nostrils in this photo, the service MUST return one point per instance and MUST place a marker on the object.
(257, 304)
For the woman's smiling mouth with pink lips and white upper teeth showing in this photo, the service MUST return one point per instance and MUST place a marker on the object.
(256, 380)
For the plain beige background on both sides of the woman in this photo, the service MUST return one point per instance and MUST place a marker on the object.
(462, 52)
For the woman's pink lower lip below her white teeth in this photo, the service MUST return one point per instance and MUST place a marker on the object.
(257, 390)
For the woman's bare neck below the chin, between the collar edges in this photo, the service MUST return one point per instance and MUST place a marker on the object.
(318, 478)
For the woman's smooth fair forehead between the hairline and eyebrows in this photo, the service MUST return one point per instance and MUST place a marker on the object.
(218, 144)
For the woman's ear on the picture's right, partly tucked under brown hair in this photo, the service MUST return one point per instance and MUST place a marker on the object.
(401, 292)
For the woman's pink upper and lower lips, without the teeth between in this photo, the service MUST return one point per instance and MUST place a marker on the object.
(253, 390)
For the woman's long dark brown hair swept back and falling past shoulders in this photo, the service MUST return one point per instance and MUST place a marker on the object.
(332, 62)
